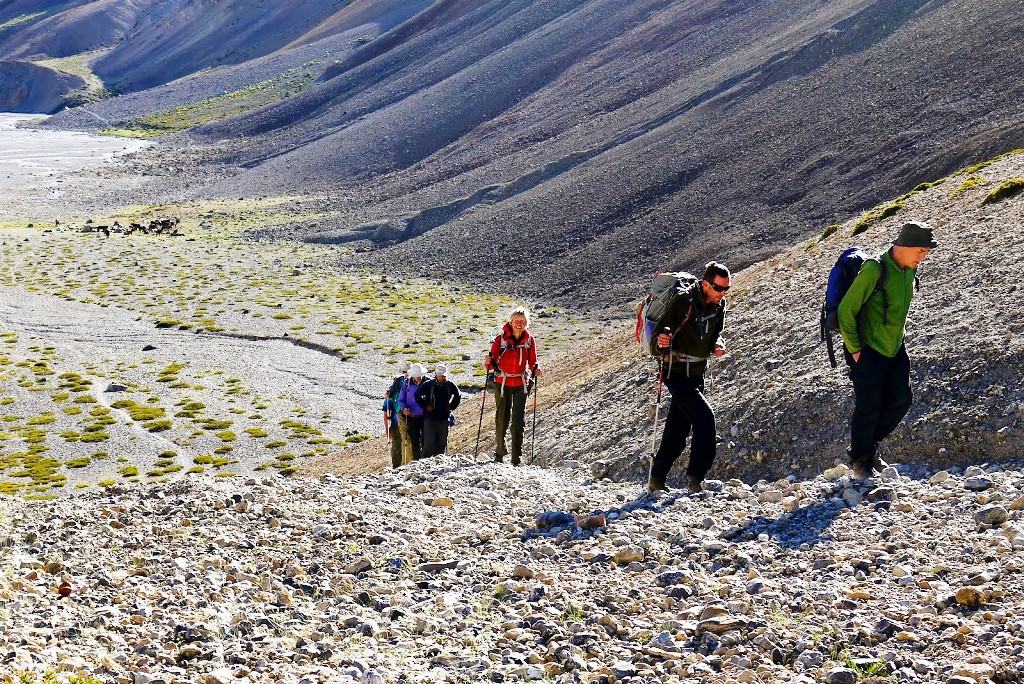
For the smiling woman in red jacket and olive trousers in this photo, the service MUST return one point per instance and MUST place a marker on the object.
(514, 360)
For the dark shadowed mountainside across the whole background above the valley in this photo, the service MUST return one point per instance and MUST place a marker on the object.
(572, 138)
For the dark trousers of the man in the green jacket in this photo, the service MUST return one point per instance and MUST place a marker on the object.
(883, 397)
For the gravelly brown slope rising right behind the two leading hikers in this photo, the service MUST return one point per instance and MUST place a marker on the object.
(781, 408)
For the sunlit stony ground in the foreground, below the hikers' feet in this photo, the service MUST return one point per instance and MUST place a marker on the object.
(450, 571)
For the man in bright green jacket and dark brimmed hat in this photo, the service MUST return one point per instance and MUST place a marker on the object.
(874, 325)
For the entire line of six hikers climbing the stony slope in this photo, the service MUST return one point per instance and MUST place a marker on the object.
(680, 324)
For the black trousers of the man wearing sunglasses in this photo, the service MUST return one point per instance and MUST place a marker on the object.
(690, 411)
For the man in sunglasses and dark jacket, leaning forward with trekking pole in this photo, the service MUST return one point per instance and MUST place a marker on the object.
(688, 348)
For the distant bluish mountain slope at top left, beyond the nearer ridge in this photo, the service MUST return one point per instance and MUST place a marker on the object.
(144, 48)
